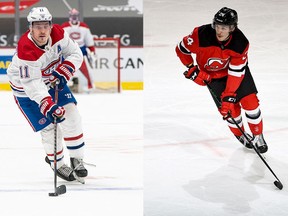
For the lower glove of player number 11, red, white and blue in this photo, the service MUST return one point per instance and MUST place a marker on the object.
(51, 110)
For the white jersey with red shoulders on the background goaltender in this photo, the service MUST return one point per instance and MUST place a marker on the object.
(80, 33)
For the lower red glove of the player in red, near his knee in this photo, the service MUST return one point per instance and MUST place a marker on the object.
(228, 104)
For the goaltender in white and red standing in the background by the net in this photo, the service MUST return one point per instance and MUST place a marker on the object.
(80, 32)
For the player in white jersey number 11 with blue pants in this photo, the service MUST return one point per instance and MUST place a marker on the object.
(46, 54)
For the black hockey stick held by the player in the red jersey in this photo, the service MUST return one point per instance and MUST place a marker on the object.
(277, 183)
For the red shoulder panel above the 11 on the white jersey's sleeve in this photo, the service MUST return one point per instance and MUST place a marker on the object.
(27, 50)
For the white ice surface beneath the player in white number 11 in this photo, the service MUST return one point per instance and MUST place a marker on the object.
(113, 130)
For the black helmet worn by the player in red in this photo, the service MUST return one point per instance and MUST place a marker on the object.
(225, 16)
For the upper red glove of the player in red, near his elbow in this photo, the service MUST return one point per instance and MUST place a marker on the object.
(197, 75)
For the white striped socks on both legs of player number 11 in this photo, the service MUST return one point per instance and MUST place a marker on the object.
(70, 130)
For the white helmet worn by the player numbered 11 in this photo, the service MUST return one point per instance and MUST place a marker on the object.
(37, 14)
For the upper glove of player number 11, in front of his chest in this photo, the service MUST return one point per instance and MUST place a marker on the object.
(63, 74)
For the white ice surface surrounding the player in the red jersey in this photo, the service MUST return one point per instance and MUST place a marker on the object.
(193, 165)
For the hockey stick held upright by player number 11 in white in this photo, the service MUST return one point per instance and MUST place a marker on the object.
(62, 188)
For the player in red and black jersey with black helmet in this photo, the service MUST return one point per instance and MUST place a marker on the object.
(221, 51)
